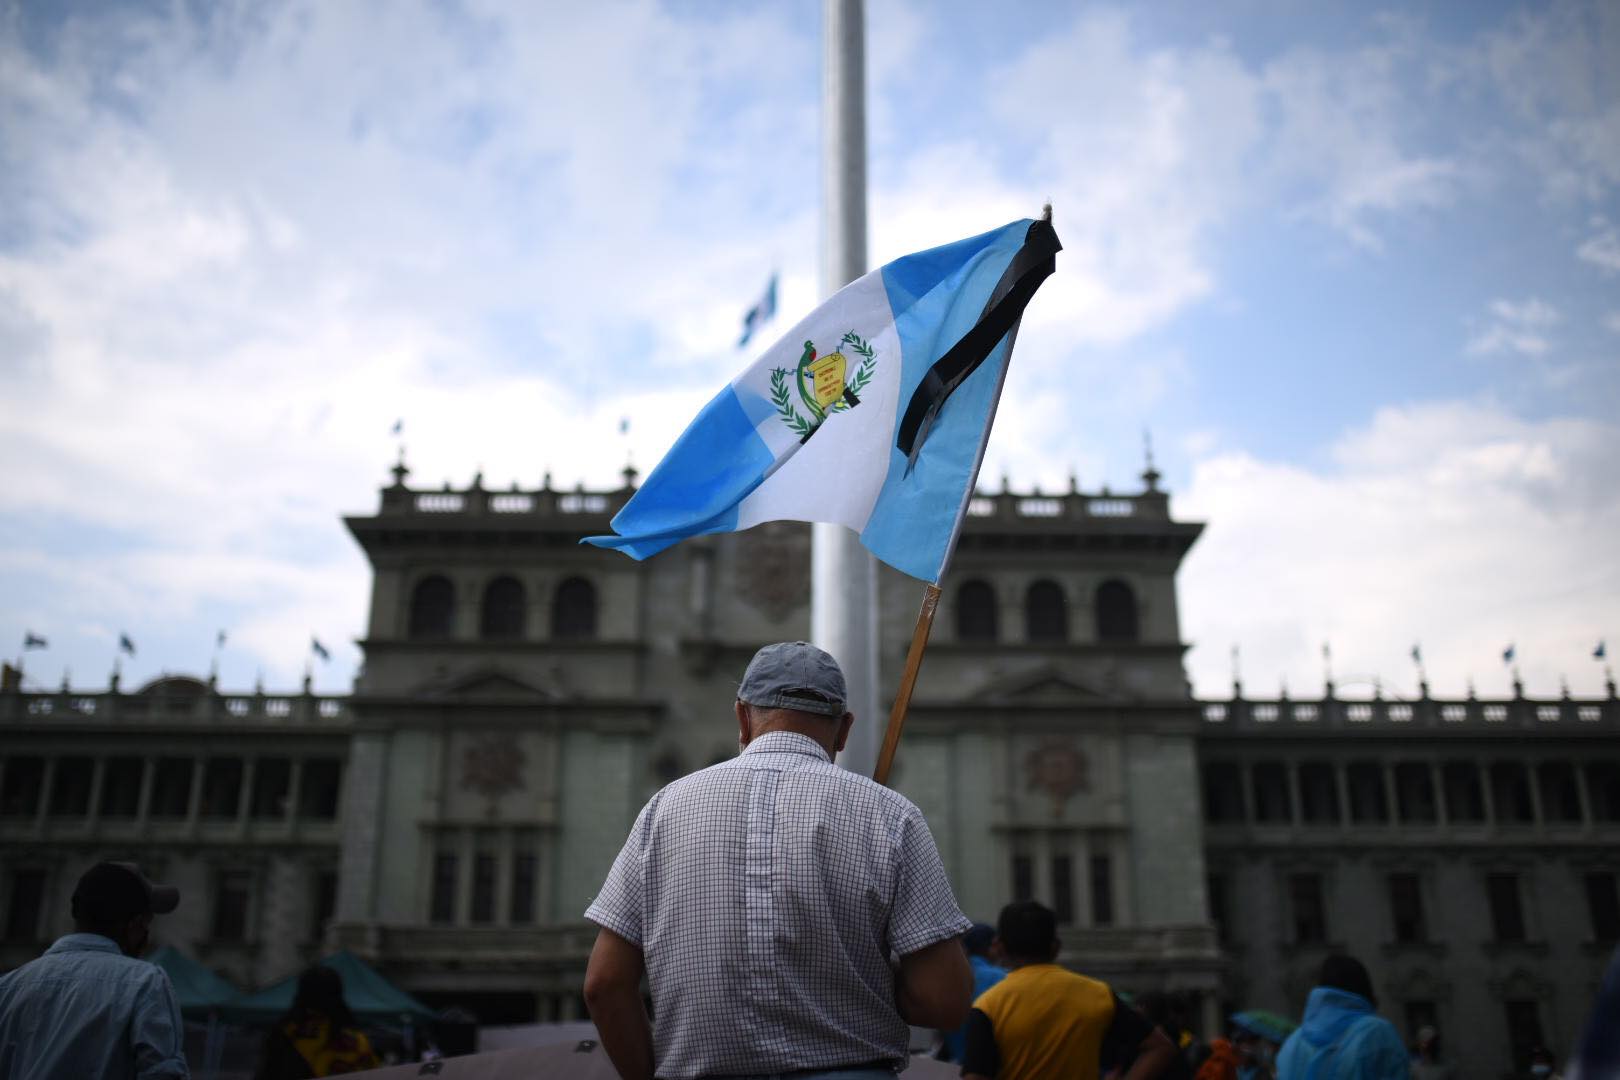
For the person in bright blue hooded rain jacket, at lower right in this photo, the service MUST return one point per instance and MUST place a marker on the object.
(1344, 1037)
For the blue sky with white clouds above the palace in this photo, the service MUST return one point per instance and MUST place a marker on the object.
(1357, 271)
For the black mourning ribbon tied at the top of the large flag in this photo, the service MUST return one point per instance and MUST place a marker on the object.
(1030, 268)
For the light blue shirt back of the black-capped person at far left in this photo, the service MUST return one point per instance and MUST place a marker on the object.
(85, 1010)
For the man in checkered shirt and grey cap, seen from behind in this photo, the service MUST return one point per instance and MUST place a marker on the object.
(791, 917)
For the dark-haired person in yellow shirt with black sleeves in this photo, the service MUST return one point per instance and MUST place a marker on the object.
(1046, 1021)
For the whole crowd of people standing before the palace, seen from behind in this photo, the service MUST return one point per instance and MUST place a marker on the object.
(790, 919)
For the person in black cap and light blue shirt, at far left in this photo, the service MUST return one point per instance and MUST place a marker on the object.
(90, 1008)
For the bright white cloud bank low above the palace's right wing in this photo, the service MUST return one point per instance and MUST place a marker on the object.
(1456, 525)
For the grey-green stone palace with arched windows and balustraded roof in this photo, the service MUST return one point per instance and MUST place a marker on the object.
(522, 695)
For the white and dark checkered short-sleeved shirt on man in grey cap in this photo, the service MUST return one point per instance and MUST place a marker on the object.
(767, 895)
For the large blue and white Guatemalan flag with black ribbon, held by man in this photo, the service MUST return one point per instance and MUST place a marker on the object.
(872, 412)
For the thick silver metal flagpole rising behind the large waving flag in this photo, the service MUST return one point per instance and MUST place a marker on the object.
(843, 574)
